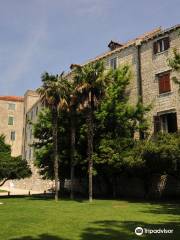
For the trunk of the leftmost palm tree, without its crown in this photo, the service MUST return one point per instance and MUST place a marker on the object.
(55, 149)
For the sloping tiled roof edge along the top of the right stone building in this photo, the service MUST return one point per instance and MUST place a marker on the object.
(157, 32)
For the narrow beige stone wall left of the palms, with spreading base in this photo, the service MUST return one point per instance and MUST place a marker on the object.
(32, 108)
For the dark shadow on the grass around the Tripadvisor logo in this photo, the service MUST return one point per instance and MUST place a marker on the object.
(116, 230)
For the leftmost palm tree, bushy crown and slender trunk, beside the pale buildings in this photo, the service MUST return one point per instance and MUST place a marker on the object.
(53, 94)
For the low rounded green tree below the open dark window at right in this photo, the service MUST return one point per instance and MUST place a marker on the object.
(158, 155)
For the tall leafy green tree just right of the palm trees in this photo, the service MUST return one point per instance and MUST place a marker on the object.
(118, 122)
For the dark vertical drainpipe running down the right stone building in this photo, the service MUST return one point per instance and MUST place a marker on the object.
(139, 79)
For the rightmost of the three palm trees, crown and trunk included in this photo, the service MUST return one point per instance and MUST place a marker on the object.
(90, 83)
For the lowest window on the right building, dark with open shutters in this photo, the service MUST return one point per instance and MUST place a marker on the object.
(165, 123)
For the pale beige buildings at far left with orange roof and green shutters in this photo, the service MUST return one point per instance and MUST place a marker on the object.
(16, 113)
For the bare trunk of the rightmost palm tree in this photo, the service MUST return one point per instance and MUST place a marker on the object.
(90, 132)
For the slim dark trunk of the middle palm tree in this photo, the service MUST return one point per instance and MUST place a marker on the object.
(73, 136)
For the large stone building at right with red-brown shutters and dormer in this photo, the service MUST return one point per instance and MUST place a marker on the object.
(148, 55)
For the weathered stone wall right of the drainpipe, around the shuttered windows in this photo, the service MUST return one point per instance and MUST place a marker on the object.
(153, 64)
